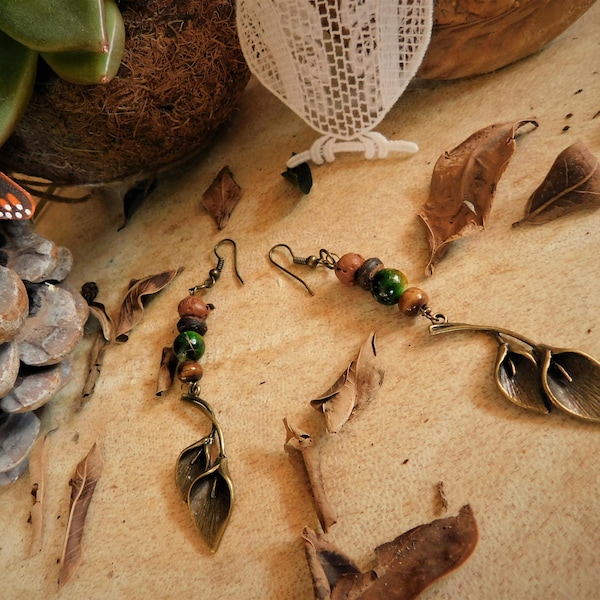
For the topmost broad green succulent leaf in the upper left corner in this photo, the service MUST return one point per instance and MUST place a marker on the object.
(55, 25)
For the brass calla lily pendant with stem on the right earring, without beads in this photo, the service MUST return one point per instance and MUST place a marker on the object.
(537, 377)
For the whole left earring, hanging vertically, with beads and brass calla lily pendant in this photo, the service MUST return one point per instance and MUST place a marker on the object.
(201, 474)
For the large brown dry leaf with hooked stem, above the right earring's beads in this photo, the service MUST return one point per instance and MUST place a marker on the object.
(463, 185)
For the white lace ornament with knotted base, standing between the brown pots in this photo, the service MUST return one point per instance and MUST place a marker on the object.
(339, 64)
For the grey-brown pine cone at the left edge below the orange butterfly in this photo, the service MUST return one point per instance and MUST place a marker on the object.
(41, 320)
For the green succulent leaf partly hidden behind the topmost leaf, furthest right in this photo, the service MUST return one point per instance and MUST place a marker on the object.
(91, 67)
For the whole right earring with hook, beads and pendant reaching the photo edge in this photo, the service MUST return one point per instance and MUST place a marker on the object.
(533, 376)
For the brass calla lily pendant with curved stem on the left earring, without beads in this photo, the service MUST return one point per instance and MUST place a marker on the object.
(202, 478)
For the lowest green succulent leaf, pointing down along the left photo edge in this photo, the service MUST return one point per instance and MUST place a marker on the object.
(18, 66)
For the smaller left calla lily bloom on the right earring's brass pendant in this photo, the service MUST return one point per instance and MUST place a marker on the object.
(518, 377)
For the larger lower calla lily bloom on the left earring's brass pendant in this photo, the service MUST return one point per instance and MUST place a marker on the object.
(210, 501)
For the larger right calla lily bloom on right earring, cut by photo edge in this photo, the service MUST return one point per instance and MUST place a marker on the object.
(572, 381)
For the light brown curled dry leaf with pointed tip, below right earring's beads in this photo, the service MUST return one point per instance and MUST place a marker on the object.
(356, 386)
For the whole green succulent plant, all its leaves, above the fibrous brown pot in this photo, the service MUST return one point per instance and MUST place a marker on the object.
(81, 40)
